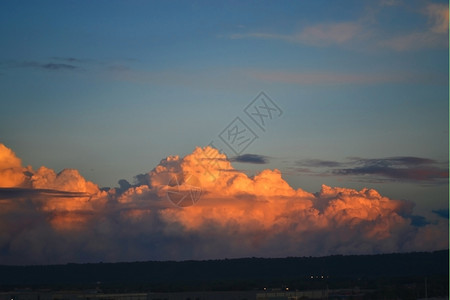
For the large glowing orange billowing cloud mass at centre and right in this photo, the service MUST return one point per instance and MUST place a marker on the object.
(265, 206)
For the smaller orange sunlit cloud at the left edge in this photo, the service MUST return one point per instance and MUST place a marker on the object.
(63, 210)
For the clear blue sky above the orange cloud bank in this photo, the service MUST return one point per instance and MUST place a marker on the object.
(112, 87)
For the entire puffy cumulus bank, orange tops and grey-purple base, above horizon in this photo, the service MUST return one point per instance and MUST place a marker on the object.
(195, 207)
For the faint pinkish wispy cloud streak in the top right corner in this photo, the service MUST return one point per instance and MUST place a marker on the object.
(365, 31)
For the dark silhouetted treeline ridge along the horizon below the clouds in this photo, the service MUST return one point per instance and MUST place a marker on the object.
(236, 274)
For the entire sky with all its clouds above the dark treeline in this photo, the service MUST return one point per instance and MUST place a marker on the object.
(153, 130)
